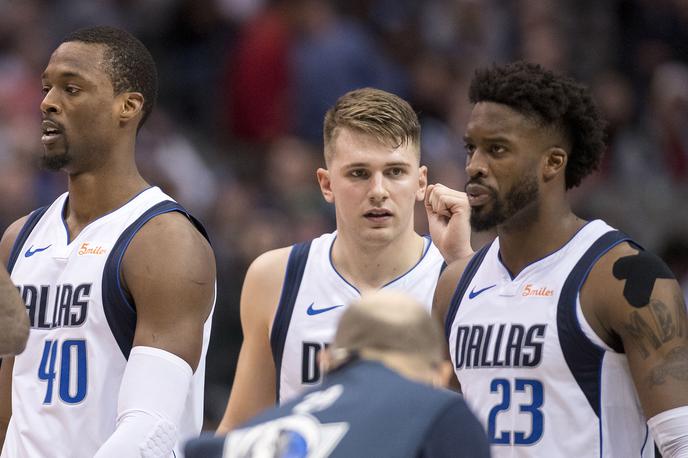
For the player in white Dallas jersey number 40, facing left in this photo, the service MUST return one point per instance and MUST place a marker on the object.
(118, 280)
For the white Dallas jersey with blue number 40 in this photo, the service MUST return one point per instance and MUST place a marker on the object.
(65, 384)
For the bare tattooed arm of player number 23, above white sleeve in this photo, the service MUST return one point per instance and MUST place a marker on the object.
(653, 332)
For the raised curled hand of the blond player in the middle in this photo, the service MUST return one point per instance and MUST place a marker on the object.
(449, 221)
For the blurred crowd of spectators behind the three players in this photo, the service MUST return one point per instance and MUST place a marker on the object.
(244, 84)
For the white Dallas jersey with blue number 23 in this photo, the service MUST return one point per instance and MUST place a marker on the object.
(531, 367)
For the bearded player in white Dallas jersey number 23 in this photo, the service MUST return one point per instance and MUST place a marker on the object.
(565, 335)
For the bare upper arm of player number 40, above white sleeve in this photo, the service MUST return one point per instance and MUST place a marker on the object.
(169, 269)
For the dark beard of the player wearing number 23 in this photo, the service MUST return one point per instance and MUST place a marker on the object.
(520, 196)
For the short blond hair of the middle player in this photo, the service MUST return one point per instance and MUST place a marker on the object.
(385, 116)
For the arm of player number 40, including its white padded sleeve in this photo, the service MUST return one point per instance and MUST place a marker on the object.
(169, 270)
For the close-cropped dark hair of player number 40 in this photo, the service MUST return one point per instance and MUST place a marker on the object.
(127, 62)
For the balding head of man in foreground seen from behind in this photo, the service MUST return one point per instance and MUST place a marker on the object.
(392, 328)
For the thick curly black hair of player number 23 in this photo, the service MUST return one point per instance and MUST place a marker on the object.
(556, 101)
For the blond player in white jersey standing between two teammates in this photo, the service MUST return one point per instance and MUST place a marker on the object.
(293, 297)
